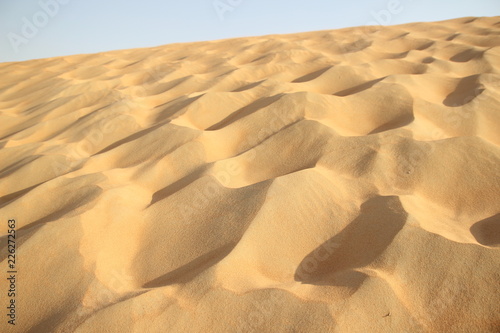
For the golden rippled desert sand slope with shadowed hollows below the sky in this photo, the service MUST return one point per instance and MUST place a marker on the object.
(328, 181)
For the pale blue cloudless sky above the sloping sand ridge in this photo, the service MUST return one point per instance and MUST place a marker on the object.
(31, 29)
